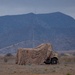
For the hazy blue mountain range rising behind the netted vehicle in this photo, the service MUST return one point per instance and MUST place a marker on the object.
(30, 30)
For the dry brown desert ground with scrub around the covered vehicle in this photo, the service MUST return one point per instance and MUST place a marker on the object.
(66, 66)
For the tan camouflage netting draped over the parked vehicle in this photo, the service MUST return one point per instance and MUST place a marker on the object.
(33, 55)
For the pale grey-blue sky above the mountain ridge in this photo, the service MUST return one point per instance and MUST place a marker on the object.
(15, 7)
